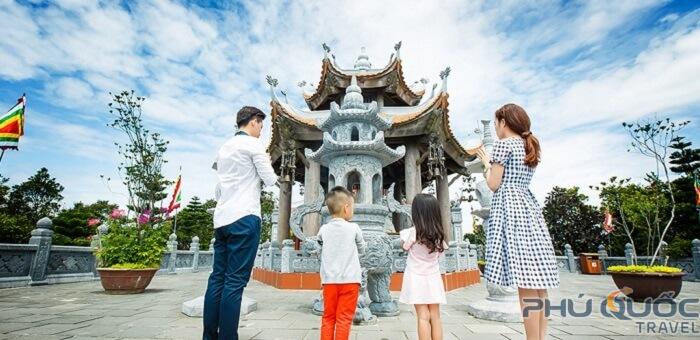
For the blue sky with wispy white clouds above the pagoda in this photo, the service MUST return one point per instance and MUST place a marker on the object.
(579, 68)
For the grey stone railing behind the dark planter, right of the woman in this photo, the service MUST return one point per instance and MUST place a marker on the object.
(691, 265)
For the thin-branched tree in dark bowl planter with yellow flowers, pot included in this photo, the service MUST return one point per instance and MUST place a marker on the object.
(652, 208)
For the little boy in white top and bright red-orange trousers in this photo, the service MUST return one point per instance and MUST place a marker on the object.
(340, 265)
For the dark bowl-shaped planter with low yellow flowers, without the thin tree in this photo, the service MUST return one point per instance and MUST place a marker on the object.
(641, 283)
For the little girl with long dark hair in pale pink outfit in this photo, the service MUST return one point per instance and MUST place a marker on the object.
(422, 283)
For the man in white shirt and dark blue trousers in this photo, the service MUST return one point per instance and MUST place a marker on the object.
(242, 165)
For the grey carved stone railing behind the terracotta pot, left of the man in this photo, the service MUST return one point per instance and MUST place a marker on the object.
(40, 262)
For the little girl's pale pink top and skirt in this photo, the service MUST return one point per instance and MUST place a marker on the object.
(422, 282)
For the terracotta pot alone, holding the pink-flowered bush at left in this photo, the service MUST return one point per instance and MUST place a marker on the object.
(126, 281)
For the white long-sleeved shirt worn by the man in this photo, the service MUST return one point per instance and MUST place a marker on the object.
(242, 166)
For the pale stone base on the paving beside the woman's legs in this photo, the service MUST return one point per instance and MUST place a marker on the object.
(501, 305)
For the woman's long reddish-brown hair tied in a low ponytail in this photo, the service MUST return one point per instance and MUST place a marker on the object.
(517, 120)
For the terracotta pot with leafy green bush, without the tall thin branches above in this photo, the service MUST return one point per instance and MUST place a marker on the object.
(129, 252)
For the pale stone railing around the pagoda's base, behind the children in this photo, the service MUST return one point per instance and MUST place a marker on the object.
(460, 256)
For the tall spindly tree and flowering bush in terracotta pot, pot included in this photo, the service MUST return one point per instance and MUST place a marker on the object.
(130, 249)
